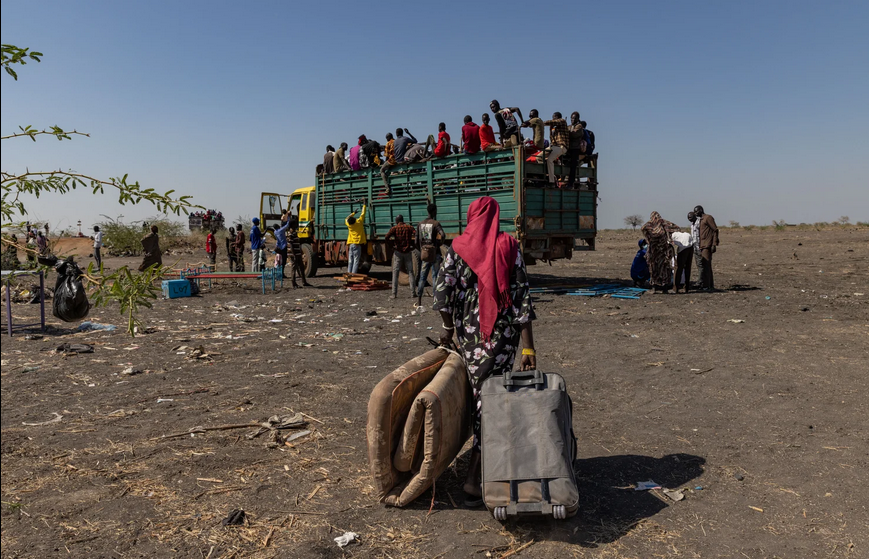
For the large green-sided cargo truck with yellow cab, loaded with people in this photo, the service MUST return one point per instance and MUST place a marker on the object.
(549, 222)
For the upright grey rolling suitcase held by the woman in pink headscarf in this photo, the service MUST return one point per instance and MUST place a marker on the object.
(528, 446)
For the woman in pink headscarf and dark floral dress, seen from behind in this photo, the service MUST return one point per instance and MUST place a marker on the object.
(483, 296)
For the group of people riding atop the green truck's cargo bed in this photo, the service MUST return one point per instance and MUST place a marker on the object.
(573, 141)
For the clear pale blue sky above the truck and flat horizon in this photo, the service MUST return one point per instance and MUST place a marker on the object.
(757, 110)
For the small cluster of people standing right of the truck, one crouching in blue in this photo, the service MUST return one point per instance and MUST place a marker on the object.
(664, 258)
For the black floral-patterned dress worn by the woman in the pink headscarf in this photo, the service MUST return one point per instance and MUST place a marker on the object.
(456, 293)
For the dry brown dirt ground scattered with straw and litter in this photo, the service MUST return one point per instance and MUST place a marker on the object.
(765, 422)
